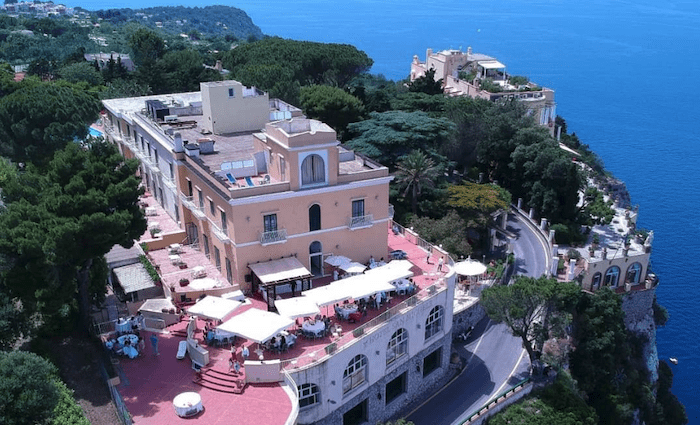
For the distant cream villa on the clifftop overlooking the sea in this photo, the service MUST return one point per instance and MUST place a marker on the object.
(463, 72)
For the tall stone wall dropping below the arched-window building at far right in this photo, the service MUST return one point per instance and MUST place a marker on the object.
(639, 318)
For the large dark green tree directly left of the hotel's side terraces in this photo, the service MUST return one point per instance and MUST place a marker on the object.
(60, 220)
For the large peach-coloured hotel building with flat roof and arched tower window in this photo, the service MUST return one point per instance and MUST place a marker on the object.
(250, 180)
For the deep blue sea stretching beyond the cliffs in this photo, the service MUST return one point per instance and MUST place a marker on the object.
(626, 76)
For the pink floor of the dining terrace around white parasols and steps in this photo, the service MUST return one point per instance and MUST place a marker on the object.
(150, 383)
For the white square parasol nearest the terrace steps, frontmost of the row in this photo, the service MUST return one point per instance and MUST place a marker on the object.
(256, 325)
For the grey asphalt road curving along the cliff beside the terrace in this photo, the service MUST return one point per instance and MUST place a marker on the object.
(495, 358)
